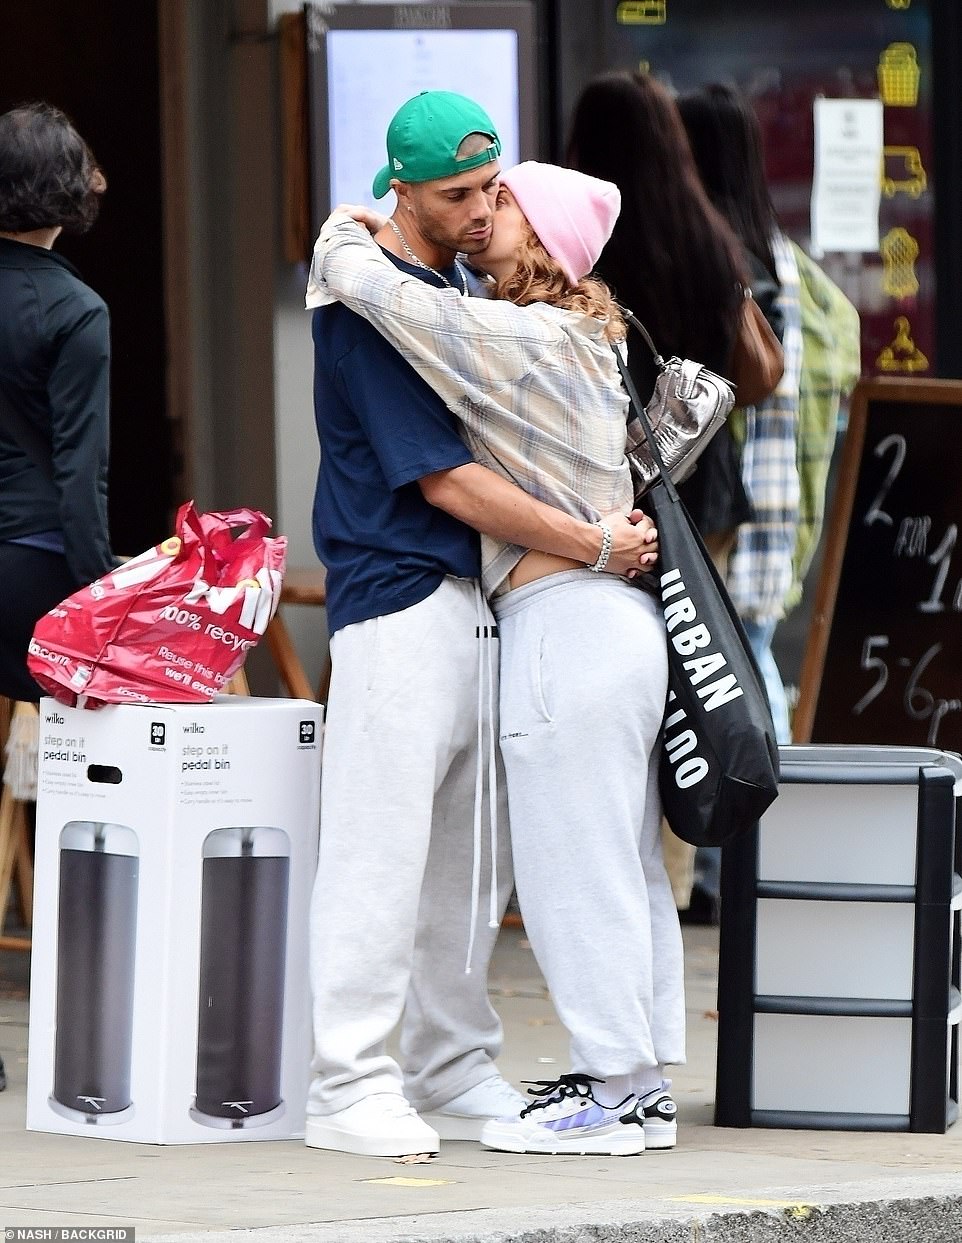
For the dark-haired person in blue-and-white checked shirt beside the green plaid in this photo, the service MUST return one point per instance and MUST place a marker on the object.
(726, 141)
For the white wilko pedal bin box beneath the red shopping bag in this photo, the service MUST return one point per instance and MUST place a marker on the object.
(176, 853)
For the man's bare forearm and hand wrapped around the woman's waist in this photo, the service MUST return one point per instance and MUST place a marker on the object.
(498, 508)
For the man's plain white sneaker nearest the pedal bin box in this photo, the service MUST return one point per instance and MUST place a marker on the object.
(381, 1126)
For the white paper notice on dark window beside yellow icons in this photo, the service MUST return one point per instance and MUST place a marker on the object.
(847, 183)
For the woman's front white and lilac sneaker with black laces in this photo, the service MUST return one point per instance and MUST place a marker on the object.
(566, 1118)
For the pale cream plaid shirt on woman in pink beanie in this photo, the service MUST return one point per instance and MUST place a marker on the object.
(536, 388)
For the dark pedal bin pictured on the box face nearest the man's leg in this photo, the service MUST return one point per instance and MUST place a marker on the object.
(245, 889)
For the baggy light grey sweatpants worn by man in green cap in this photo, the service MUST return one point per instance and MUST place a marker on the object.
(391, 910)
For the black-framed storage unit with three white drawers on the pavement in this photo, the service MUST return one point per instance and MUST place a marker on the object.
(840, 956)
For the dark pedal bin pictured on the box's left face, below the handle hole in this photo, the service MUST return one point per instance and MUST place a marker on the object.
(96, 940)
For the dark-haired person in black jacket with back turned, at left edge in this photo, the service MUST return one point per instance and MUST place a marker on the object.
(54, 383)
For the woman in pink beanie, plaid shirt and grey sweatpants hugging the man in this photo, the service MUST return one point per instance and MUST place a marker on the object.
(534, 378)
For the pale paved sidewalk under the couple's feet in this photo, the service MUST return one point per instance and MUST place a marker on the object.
(718, 1185)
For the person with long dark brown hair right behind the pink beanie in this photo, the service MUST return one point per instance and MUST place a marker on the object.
(672, 259)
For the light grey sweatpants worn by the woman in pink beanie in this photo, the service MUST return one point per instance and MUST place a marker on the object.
(584, 684)
